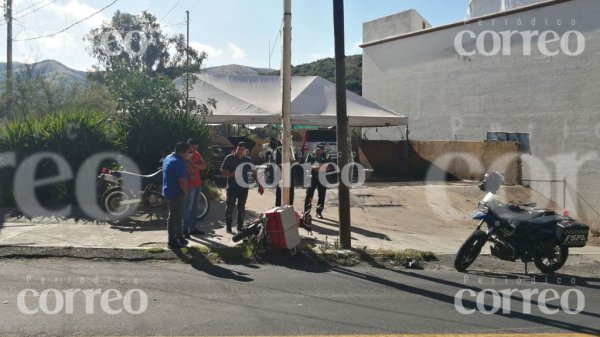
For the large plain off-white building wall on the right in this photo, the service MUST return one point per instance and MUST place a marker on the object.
(556, 99)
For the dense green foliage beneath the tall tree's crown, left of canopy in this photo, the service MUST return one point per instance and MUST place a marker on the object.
(152, 116)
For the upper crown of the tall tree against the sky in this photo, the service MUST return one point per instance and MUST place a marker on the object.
(137, 43)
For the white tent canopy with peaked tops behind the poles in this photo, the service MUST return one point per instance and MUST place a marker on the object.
(257, 100)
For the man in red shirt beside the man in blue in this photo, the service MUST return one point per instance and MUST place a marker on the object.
(194, 166)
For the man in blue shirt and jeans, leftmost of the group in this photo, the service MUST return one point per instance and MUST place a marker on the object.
(175, 190)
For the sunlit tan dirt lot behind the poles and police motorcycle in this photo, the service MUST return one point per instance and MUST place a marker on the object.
(396, 215)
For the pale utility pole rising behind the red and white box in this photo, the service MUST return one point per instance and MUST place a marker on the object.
(286, 83)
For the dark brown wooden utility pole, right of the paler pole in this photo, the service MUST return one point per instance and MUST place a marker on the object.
(342, 122)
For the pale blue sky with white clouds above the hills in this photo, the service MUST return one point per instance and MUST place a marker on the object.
(230, 31)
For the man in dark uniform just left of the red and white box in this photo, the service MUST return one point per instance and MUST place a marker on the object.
(237, 184)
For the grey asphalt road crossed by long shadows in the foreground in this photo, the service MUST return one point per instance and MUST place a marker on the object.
(301, 298)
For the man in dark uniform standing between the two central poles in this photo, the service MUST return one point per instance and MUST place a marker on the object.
(318, 161)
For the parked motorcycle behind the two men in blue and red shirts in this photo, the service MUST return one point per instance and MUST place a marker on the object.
(119, 201)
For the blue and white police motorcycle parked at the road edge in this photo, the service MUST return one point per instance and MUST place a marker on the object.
(520, 231)
